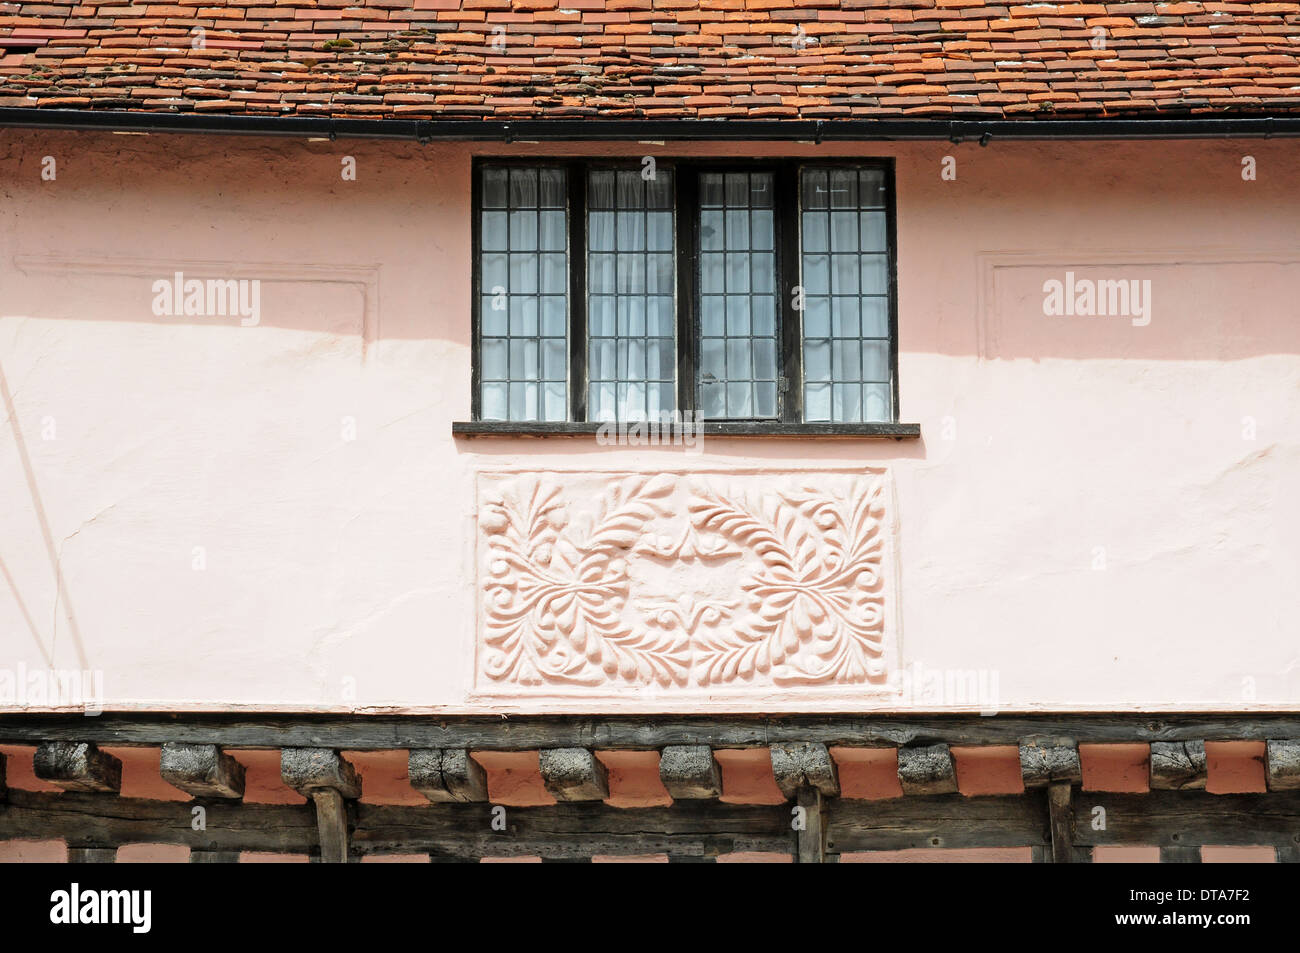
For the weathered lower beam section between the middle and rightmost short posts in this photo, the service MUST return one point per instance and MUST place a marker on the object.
(946, 821)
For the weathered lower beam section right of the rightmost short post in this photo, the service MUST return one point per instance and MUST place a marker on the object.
(1193, 818)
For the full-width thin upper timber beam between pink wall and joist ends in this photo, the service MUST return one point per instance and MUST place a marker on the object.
(645, 733)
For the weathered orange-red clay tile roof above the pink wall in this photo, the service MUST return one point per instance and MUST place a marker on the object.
(655, 59)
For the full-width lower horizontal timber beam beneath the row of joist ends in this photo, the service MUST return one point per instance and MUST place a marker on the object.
(687, 830)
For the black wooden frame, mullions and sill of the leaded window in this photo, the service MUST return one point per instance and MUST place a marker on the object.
(787, 246)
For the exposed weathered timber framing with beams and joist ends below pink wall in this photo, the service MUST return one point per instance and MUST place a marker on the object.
(460, 824)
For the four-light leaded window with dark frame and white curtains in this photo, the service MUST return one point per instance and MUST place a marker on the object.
(751, 296)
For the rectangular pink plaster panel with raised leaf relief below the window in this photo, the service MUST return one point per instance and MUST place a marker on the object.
(684, 582)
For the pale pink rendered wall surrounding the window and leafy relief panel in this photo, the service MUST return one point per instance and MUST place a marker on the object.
(1098, 517)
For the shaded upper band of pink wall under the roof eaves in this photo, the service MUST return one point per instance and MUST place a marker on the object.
(1063, 250)
